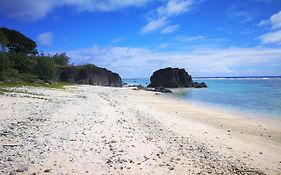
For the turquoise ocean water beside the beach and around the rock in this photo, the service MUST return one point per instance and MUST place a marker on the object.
(257, 95)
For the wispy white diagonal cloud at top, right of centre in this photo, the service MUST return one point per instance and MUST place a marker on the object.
(163, 13)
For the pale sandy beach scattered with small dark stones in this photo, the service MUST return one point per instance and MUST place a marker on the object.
(102, 130)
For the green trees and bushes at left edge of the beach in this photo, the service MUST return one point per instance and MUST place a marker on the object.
(22, 63)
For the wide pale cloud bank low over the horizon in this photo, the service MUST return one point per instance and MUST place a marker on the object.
(140, 62)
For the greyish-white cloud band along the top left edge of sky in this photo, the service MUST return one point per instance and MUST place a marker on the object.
(31, 10)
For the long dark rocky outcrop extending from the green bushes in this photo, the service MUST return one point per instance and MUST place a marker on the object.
(89, 74)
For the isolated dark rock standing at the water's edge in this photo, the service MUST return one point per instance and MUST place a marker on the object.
(173, 78)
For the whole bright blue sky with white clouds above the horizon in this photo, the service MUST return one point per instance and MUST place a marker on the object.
(136, 37)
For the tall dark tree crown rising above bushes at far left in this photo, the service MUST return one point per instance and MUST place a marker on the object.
(18, 42)
